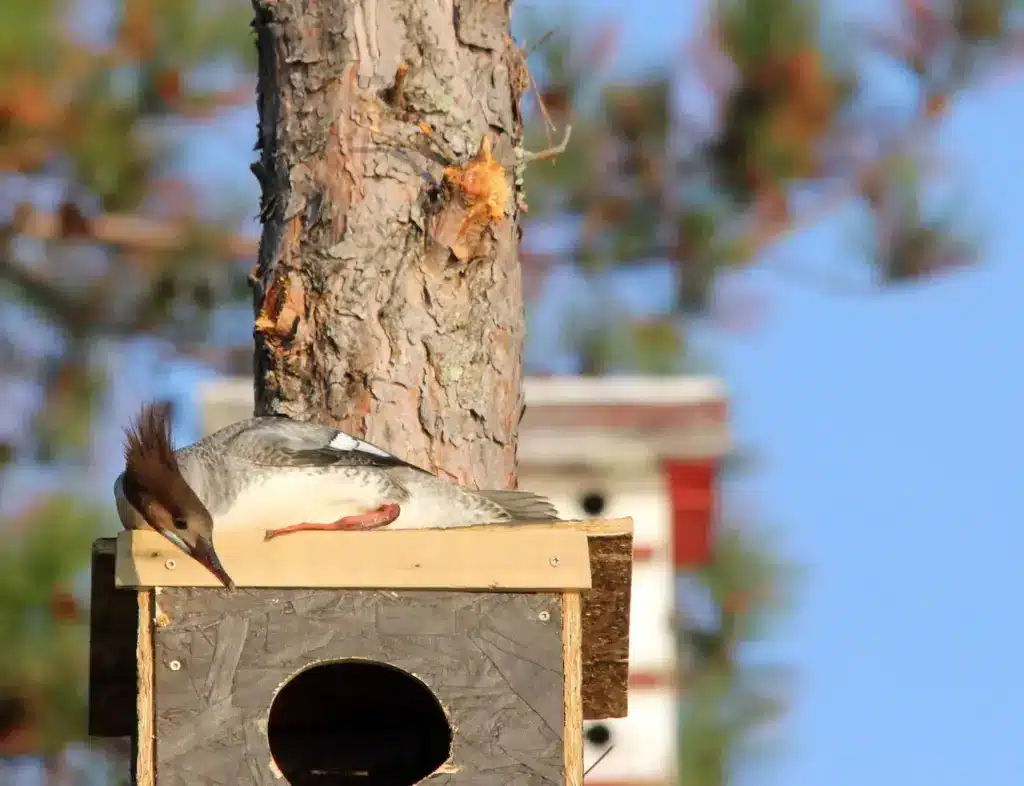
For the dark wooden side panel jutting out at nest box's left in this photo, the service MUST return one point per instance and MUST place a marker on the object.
(113, 638)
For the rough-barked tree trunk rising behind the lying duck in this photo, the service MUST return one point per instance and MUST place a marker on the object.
(365, 321)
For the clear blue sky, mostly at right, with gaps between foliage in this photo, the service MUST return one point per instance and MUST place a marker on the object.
(889, 434)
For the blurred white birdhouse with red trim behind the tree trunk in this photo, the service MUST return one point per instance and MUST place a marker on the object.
(647, 448)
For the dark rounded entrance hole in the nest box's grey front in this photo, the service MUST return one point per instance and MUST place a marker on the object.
(358, 722)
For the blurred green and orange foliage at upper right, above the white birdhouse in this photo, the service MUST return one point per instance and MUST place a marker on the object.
(791, 106)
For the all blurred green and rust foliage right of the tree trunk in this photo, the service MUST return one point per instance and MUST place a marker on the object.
(647, 184)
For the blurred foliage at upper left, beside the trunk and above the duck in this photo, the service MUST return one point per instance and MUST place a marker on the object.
(89, 118)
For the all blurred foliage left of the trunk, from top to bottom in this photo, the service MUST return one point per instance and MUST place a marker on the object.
(123, 254)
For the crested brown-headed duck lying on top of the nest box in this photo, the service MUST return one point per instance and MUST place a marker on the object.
(285, 476)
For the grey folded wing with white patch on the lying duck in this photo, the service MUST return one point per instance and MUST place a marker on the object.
(284, 443)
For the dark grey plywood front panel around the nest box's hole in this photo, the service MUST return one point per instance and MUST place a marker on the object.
(494, 661)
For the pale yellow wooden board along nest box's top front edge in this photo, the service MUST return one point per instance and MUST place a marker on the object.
(517, 558)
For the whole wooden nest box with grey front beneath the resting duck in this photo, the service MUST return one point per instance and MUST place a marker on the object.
(463, 657)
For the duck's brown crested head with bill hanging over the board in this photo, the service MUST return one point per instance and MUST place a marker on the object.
(157, 494)
